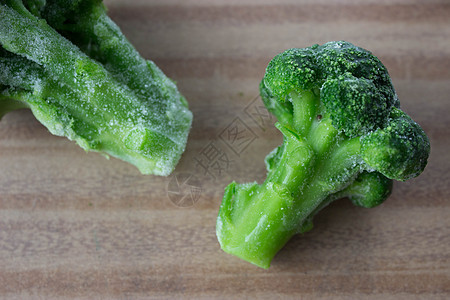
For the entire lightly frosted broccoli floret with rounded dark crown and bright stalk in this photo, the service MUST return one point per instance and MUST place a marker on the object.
(344, 136)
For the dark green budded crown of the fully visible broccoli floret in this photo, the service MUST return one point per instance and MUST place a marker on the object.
(354, 91)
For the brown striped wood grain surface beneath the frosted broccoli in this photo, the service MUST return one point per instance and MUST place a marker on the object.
(74, 225)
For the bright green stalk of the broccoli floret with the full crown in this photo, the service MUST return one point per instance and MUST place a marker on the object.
(255, 221)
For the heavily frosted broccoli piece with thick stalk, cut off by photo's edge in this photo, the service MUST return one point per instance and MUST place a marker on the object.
(70, 63)
